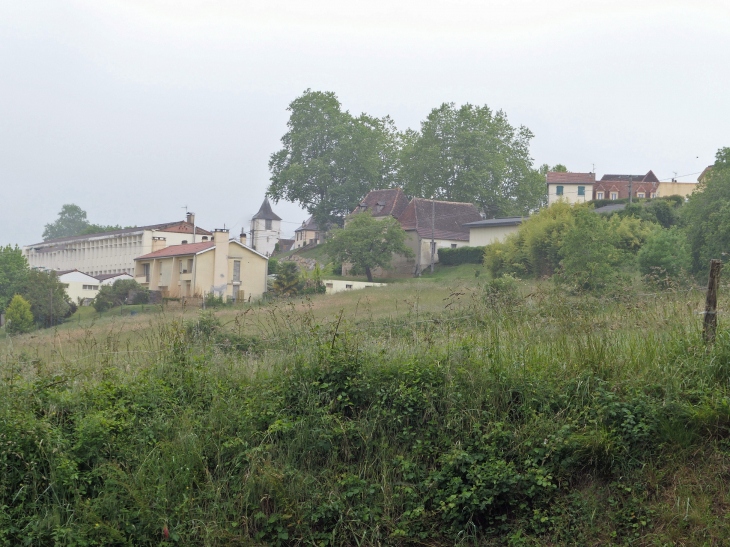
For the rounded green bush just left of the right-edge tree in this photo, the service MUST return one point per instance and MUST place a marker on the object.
(664, 258)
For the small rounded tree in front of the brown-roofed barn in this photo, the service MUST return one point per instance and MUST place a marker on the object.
(367, 243)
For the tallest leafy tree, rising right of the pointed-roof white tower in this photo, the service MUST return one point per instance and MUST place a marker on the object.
(330, 159)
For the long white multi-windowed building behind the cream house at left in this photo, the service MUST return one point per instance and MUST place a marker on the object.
(110, 252)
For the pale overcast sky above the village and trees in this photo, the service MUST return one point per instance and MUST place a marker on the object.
(134, 110)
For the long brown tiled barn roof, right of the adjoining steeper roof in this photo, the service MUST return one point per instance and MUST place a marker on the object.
(443, 219)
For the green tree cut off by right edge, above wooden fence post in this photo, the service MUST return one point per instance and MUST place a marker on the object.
(707, 215)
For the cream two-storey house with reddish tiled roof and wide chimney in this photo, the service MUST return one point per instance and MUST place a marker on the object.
(220, 266)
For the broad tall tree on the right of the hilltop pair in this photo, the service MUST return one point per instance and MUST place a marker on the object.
(474, 155)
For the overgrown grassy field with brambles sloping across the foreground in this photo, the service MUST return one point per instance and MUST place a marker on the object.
(439, 411)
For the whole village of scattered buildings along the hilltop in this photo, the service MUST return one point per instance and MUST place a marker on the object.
(181, 259)
